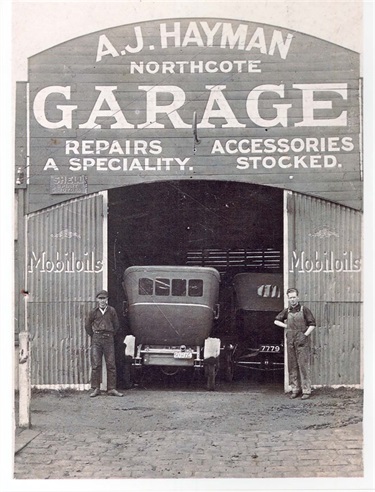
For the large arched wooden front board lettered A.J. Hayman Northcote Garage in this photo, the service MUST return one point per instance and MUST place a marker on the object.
(195, 99)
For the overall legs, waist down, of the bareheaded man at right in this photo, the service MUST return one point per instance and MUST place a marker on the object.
(299, 349)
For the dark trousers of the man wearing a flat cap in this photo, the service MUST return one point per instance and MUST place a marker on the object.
(103, 344)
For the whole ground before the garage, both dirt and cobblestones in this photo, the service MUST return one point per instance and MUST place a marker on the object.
(148, 434)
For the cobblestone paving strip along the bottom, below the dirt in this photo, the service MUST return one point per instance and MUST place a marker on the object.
(311, 453)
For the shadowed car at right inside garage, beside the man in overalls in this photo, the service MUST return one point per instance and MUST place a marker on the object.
(258, 298)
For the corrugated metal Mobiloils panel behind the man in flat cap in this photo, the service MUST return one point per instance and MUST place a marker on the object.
(65, 243)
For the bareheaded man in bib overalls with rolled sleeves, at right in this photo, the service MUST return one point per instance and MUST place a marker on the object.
(299, 323)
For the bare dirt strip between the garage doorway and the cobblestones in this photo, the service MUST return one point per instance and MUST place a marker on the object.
(168, 403)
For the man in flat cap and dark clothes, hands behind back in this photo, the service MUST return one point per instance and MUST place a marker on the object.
(101, 325)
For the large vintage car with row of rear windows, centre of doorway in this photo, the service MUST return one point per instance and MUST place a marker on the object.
(171, 311)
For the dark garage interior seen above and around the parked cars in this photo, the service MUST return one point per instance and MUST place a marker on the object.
(234, 227)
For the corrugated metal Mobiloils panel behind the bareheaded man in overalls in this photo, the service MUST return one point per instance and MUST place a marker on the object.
(324, 263)
